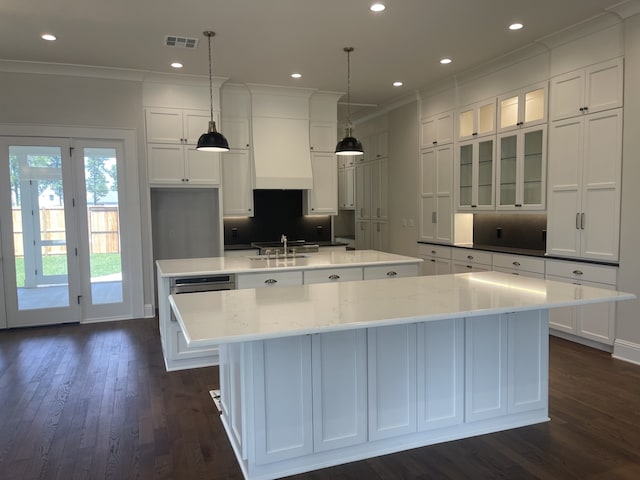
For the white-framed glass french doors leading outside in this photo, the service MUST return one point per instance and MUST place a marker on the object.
(59, 218)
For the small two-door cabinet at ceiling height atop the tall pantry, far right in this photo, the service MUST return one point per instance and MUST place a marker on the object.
(589, 90)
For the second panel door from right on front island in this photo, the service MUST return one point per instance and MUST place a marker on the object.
(486, 367)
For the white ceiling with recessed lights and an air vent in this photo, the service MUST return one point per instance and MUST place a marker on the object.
(260, 41)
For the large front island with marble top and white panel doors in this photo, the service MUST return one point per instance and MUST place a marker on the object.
(317, 375)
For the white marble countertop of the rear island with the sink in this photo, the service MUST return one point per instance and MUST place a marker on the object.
(319, 260)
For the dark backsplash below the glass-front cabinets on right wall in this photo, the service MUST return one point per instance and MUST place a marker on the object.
(527, 231)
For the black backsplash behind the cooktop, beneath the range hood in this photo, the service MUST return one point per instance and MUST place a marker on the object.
(277, 212)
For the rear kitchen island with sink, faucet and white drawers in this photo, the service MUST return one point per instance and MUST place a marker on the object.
(260, 271)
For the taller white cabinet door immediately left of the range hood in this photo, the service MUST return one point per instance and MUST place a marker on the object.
(237, 191)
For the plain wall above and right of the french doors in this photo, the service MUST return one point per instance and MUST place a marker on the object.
(40, 99)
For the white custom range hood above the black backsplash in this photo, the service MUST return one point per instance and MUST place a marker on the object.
(280, 124)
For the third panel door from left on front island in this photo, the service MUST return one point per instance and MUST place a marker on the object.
(392, 381)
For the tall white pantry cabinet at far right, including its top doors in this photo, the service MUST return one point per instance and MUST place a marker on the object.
(585, 163)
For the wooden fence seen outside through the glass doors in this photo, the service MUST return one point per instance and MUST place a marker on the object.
(103, 232)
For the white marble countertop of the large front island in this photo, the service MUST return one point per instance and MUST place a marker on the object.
(214, 318)
